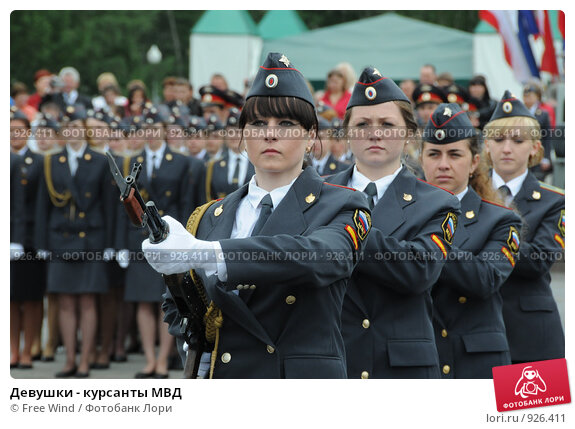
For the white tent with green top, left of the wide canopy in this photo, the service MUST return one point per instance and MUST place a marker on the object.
(225, 42)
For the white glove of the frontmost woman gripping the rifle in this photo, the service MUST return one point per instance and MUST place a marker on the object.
(180, 251)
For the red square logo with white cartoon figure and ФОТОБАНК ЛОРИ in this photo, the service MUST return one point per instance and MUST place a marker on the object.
(532, 384)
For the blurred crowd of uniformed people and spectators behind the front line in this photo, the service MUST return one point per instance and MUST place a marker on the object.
(195, 132)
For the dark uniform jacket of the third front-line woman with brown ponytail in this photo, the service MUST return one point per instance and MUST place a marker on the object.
(468, 319)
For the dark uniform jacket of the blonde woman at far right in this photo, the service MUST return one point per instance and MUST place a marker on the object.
(531, 316)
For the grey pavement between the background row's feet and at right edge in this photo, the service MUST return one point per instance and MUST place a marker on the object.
(136, 362)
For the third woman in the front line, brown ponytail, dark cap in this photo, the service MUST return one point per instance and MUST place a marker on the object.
(467, 316)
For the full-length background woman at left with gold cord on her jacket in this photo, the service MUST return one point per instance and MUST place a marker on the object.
(72, 222)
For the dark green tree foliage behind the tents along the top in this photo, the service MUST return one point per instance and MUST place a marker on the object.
(117, 41)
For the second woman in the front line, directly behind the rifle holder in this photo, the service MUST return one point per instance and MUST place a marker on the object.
(387, 324)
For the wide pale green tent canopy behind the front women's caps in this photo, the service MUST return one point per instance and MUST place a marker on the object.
(396, 45)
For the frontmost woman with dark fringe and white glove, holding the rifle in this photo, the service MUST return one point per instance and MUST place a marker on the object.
(280, 317)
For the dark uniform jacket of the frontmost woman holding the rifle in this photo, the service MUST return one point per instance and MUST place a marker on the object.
(287, 323)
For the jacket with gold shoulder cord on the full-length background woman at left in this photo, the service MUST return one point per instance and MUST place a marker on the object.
(80, 221)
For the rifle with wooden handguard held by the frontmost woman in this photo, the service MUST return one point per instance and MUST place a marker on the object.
(191, 306)
